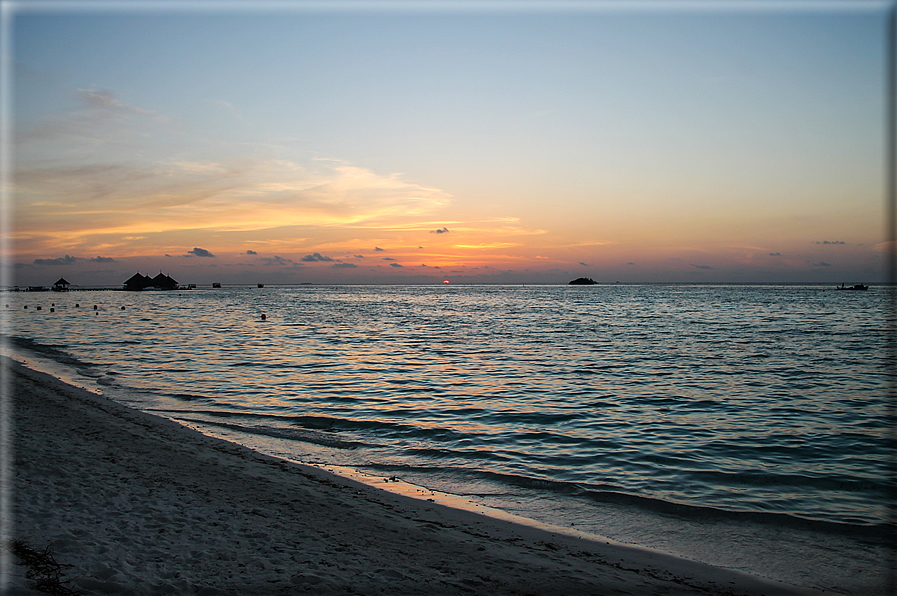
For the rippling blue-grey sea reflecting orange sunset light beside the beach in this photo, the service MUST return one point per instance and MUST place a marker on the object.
(746, 426)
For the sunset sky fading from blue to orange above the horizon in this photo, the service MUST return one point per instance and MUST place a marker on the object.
(415, 142)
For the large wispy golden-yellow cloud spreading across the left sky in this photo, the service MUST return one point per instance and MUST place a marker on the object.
(84, 182)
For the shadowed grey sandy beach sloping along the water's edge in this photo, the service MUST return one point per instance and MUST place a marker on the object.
(130, 503)
